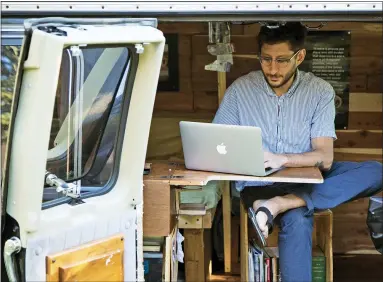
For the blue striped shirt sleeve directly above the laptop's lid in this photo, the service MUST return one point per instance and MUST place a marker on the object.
(228, 109)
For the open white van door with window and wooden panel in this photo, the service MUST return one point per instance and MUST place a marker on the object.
(73, 179)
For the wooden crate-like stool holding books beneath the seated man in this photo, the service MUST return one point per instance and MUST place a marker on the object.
(322, 237)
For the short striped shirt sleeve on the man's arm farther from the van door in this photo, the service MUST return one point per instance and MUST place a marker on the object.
(323, 122)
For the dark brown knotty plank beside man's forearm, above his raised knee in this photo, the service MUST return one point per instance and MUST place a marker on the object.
(359, 139)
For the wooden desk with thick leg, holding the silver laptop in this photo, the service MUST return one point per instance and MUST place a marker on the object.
(161, 187)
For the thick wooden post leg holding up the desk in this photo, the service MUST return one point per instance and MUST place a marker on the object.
(197, 255)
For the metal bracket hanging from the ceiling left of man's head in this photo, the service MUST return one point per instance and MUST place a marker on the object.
(219, 35)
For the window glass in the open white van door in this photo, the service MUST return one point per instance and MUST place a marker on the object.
(86, 117)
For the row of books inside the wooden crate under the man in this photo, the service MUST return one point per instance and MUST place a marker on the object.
(264, 264)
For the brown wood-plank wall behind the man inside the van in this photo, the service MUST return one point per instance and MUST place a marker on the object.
(197, 99)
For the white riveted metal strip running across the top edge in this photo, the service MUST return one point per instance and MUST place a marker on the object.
(172, 7)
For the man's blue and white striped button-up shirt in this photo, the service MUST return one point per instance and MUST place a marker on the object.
(288, 122)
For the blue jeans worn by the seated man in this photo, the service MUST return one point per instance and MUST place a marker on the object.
(346, 181)
